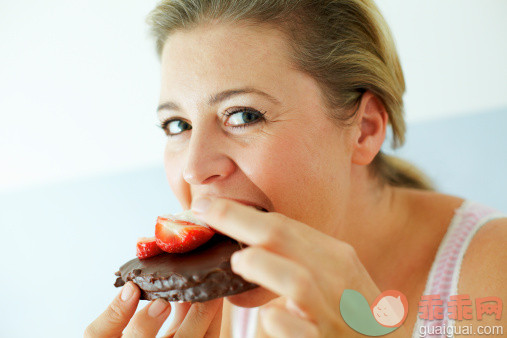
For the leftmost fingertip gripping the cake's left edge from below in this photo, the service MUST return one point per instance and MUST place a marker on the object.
(117, 315)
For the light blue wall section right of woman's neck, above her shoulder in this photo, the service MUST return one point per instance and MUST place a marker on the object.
(465, 156)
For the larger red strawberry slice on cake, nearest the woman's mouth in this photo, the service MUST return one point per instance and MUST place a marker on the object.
(181, 233)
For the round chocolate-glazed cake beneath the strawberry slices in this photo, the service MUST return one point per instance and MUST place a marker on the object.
(199, 275)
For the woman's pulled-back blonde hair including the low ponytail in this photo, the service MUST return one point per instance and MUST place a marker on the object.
(345, 45)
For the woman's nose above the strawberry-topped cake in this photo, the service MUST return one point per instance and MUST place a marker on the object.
(207, 160)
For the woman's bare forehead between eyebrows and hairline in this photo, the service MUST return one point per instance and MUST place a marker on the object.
(227, 51)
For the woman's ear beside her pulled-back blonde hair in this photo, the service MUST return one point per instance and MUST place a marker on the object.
(371, 127)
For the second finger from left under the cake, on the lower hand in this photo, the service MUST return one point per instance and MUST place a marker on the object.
(148, 321)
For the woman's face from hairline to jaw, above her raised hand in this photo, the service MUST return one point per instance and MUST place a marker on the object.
(246, 125)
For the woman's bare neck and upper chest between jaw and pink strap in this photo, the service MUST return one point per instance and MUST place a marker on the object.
(395, 231)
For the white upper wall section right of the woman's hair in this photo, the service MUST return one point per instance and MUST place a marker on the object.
(453, 53)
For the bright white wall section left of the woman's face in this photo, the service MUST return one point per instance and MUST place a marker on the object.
(78, 86)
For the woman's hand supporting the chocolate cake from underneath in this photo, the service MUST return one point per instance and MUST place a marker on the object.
(120, 317)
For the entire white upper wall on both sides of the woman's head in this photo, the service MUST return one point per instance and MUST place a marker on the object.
(79, 80)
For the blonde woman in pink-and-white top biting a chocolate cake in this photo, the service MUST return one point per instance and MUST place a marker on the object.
(284, 105)
